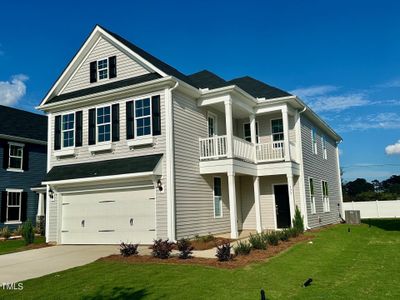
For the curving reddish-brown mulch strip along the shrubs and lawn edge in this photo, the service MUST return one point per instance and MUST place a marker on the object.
(237, 262)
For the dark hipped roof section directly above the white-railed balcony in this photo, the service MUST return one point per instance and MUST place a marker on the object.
(258, 88)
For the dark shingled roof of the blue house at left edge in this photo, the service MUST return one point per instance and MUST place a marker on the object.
(23, 124)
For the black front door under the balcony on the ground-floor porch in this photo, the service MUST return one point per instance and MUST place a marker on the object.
(282, 206)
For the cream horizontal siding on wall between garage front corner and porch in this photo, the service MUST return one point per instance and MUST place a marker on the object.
(194, 192)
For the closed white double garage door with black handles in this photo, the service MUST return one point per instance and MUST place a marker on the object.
(108, 217)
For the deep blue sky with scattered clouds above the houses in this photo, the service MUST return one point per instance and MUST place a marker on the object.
(341, 57)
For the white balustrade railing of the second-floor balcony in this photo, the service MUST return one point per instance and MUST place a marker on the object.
(216, 147)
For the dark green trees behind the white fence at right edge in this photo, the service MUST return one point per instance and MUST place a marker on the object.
(362, 190)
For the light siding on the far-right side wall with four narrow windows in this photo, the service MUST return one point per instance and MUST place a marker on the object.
(319, 169)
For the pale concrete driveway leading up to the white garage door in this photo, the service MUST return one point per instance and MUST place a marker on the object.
(24, 265)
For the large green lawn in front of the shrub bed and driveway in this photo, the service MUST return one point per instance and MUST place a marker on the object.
(361, 264)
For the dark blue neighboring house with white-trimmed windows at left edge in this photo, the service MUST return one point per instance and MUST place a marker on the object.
(23, 152)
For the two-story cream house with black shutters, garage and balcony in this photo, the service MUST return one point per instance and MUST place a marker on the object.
(139, 151)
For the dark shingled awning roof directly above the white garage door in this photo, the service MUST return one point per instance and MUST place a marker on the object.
(104, 168)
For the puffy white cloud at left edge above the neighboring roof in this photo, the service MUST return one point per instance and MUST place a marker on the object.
(13, 90)
